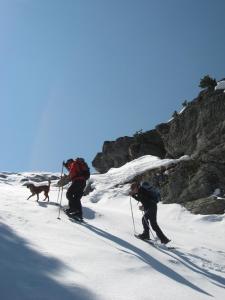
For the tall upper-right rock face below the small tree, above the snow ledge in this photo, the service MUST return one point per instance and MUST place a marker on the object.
(200, 128)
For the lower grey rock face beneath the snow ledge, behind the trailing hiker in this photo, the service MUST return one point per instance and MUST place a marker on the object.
(188, 181)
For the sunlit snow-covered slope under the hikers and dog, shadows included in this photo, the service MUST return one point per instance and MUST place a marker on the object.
(46, 258)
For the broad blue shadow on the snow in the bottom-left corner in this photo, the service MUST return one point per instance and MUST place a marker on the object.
(26, 274)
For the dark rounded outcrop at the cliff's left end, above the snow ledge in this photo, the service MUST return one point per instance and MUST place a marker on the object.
(116, 153)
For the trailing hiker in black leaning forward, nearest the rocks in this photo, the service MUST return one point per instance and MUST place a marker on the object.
(150, 212)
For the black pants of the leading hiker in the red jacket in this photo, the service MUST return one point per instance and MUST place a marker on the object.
(74, 195)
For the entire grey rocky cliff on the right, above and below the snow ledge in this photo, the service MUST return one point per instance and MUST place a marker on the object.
(199, 131)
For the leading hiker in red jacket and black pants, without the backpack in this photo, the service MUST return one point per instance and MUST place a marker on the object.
(76, 189)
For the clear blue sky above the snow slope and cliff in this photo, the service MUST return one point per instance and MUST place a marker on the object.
(74, 73)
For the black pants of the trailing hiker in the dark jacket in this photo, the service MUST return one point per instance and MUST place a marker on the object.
(150, 215)
